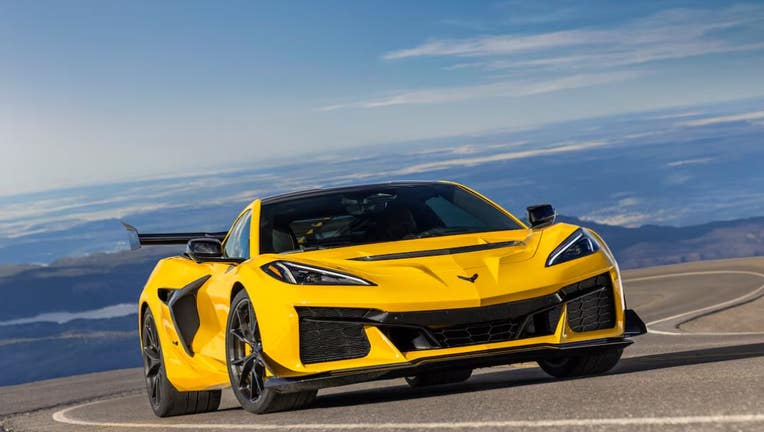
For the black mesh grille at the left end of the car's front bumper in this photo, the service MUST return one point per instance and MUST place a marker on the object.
(322, 341)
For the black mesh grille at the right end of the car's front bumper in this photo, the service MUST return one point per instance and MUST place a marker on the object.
(594, 311)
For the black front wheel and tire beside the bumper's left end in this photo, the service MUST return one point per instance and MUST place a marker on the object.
(246, 364)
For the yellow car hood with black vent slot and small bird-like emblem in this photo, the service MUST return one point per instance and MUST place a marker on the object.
(435, 270)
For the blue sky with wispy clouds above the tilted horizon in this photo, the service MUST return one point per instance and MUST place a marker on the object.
(102, 91)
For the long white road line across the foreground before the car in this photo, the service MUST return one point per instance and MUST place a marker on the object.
(62, 416)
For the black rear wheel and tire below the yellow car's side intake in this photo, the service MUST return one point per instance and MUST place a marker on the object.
(164, 399)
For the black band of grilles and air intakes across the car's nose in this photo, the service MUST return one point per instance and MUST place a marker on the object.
(330, 334)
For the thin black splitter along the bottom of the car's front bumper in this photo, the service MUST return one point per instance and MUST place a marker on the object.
(472, 360)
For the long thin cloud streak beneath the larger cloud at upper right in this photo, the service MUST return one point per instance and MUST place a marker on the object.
(510, 88)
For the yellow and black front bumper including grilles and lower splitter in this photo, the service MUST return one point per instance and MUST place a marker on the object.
(346, 345)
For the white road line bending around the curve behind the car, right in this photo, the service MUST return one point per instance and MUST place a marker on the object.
(758, 291)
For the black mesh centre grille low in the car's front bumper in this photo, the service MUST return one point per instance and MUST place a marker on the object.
(475, 333)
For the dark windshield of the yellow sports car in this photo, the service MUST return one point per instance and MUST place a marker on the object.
(373, 214)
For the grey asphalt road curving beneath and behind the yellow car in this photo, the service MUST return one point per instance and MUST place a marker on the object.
(701, 368)
